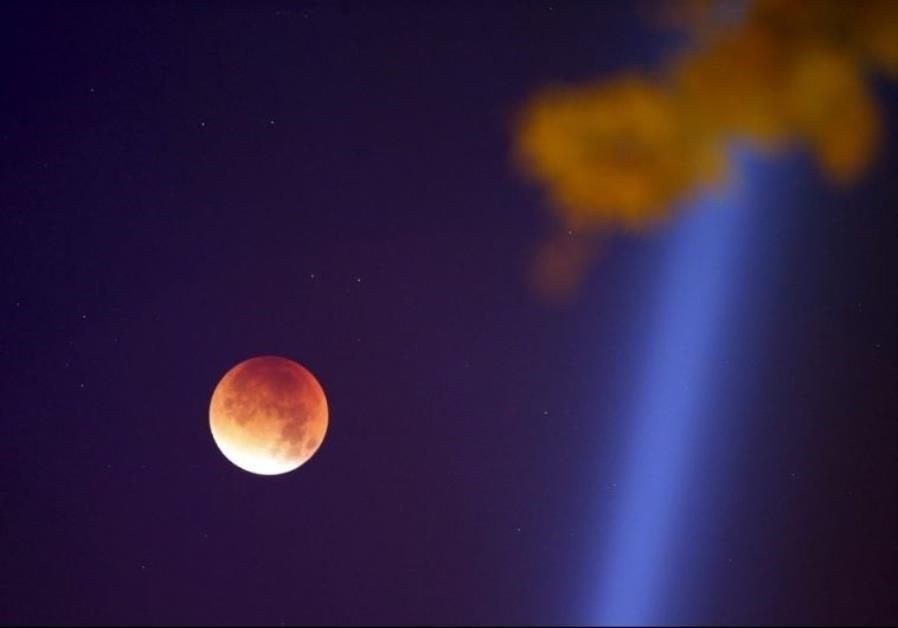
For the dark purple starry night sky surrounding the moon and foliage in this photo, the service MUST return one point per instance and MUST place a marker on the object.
(185, 186)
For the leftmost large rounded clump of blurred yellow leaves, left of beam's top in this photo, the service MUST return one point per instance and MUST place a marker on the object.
(613, 153)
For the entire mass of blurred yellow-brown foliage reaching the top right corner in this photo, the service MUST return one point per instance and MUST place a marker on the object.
(622, 153)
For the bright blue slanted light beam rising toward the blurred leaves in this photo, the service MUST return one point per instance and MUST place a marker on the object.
(669, 411)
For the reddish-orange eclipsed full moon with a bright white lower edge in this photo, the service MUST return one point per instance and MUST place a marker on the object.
(268, 415)
